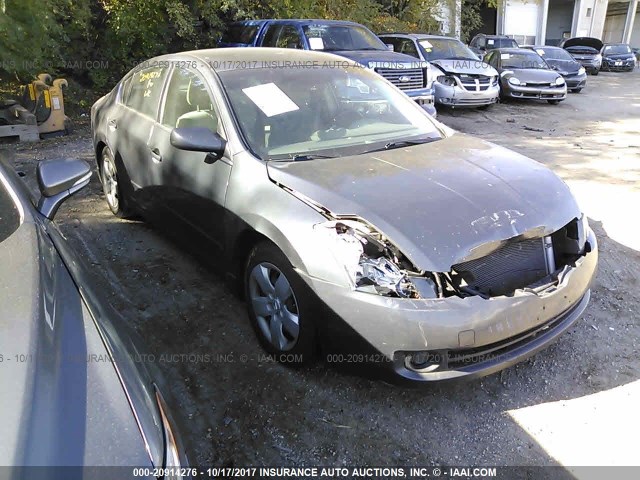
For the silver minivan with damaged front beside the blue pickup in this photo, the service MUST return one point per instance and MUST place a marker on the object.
(461, 79)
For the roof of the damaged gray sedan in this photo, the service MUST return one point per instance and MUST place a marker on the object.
(223, 59)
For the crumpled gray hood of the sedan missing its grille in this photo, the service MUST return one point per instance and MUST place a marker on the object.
(438, 202)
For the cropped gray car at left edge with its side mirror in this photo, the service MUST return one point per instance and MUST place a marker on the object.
(74, 387)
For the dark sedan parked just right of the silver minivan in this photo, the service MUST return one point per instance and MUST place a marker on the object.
(524, 74)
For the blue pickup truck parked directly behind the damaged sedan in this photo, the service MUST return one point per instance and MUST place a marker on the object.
(347, 39)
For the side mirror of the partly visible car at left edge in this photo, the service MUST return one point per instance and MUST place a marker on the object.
(58, 180)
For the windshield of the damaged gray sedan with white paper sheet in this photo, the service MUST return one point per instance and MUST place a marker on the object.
(322, 111)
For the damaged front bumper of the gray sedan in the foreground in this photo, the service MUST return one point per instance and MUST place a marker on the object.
(463, 337)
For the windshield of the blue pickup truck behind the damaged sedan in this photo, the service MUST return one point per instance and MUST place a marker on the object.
(331, 38)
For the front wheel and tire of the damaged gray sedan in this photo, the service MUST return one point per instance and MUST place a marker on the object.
(279, 305)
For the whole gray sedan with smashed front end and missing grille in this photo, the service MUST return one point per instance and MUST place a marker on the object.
(354, 223)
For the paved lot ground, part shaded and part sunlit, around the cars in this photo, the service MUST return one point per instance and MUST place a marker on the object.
(573, 404)
